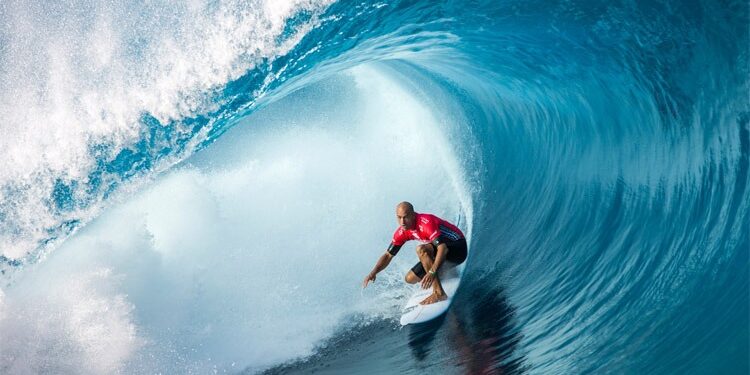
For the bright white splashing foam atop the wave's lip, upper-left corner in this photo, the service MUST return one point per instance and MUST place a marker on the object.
(82, 74)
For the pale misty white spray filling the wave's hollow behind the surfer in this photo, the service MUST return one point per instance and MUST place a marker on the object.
(256, 252)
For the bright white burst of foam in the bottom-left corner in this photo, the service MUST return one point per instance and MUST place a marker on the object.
(60, 322)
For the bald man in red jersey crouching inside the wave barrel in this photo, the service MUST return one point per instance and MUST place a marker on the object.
(442, 243)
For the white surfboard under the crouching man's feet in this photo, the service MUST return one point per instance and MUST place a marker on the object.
(414, 313)
